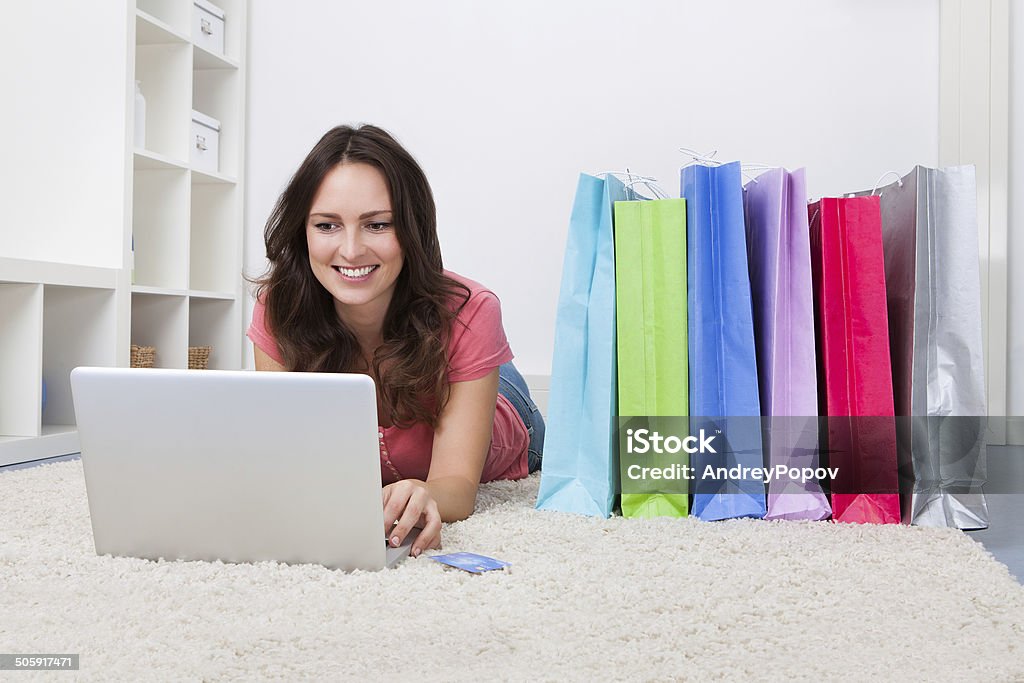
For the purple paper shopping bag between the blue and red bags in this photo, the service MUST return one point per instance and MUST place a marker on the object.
(780, 258)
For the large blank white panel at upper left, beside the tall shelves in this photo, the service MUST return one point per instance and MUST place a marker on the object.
(64, 83)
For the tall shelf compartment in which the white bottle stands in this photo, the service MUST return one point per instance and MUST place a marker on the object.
(165, 74)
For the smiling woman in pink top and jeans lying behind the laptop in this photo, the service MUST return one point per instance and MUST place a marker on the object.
(356, 285)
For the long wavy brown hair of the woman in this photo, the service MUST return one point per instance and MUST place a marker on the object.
(411, 366)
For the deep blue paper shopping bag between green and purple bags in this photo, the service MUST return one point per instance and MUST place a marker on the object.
(723, 367)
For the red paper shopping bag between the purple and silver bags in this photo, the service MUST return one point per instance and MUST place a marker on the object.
(856, 376)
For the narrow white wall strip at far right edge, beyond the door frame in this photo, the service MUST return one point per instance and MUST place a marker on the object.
(1015, 346)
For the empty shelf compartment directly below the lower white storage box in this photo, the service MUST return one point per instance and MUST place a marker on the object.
(216, 261)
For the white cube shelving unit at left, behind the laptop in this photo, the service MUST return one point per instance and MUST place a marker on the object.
(150, 250)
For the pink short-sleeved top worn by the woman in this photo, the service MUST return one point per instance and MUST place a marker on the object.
(478, 347)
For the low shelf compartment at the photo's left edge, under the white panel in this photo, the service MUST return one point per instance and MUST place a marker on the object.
(21, 359)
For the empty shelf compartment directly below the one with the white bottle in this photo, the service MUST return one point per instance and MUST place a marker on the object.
(160, 229)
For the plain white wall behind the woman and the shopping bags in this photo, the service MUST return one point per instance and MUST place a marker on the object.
(505, 104)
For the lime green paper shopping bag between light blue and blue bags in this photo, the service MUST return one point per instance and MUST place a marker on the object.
(651, 301)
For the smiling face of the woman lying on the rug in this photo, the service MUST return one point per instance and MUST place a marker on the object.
(354, 249)
